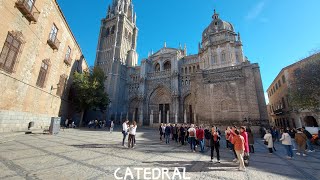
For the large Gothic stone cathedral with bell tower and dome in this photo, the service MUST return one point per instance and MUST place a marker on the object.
(217, 86)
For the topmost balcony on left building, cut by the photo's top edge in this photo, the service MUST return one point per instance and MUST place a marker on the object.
(28, 9)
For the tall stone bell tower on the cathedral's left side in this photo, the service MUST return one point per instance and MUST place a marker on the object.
(116, 51)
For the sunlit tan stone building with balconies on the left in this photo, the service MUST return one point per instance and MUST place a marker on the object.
(38, 57)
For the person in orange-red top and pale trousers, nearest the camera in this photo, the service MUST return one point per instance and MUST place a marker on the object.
(238, 142)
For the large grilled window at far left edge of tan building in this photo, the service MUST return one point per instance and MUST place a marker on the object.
(9, 53)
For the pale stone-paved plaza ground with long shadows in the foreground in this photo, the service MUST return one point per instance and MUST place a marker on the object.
(87, 154)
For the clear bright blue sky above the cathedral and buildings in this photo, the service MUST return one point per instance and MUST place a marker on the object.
(275, 33)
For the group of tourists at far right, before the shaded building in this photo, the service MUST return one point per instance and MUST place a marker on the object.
(292, 139)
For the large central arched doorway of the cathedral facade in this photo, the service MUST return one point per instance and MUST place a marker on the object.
(159, 103)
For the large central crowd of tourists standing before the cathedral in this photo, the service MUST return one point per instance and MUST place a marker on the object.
(239, 140)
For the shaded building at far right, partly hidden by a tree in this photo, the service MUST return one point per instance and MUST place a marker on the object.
(280, 111)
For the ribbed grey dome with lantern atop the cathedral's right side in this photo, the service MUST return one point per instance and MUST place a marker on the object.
(217, 25)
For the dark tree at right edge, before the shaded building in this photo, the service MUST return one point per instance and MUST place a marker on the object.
(304, 91)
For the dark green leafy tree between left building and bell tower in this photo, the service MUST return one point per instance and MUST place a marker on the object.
(89, 91)
